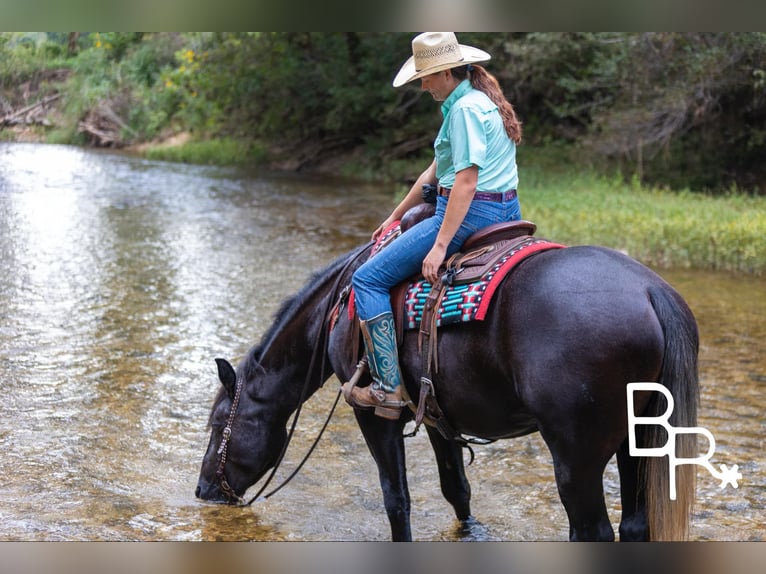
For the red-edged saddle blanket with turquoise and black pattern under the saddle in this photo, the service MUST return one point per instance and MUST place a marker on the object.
(460, 303)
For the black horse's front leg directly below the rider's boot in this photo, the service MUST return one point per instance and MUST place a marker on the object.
(386, 443)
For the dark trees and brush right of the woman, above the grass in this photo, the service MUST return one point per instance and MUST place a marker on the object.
(678, 109)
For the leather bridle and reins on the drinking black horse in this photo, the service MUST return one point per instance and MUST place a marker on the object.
(220, 473)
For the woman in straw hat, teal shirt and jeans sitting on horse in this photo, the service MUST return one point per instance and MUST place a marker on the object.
(475, 169)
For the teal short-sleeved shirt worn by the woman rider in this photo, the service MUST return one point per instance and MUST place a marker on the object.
(472, 133)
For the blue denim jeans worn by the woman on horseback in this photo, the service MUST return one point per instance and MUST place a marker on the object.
(403, 258)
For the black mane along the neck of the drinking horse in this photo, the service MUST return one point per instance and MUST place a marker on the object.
(251, 362)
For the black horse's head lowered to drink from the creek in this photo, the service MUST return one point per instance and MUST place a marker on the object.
(245, 437)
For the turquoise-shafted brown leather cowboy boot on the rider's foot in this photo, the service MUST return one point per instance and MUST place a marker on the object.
(385, 393)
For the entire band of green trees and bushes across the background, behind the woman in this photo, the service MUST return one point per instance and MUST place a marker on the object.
(670, 109)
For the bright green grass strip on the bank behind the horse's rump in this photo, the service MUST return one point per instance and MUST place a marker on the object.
(661, 228)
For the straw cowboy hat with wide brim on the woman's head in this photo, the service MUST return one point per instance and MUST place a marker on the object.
(434, 52)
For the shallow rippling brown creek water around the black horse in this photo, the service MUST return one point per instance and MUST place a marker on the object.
(122, 279)
